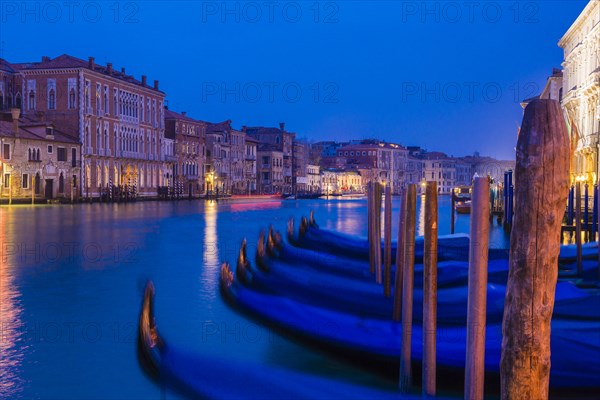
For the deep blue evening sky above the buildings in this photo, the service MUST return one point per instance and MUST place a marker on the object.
(444, 75)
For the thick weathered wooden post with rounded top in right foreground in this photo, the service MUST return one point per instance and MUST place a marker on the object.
(542, 185)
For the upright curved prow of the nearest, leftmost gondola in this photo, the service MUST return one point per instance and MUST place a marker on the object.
(149, 340)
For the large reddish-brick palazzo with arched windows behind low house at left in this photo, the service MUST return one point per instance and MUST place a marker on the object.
(118, 119)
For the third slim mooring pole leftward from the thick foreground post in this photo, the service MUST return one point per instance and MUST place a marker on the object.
(407, 289)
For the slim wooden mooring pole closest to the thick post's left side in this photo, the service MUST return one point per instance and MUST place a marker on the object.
(477, 289)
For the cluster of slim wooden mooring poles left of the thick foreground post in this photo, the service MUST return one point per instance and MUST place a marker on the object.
(404, 279)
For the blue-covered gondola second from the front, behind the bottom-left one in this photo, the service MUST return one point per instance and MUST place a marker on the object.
(575, 343)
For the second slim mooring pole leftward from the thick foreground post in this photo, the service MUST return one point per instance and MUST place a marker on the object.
(430, 291)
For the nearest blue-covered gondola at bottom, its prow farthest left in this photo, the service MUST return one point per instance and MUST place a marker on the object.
(203, 376)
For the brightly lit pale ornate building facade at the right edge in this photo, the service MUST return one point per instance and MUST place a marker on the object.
(581, 90)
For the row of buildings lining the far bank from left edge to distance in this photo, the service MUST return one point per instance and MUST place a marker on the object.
(71, 128)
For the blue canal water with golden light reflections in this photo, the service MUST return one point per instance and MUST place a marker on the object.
(72, 277)
